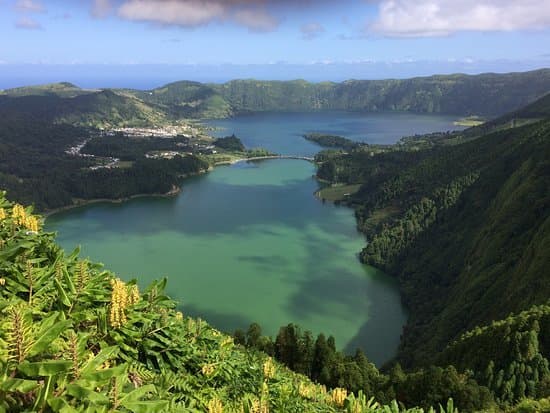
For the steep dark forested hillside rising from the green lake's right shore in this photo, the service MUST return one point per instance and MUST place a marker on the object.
(465, 228)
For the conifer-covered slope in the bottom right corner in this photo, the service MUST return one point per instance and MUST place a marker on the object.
(509, 356)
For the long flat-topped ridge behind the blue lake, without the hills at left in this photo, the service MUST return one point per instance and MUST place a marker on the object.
(487, 95)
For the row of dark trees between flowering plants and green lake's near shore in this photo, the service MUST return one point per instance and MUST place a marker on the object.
(318, 359)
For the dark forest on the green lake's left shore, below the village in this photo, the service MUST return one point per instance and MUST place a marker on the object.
(35, 169)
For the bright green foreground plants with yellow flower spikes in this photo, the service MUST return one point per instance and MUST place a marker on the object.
(74, 337)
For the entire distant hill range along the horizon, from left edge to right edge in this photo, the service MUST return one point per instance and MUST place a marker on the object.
(489, 95)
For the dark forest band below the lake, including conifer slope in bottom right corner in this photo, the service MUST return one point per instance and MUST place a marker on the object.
(491, 366)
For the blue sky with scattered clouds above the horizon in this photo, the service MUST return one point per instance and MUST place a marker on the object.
(315, 39)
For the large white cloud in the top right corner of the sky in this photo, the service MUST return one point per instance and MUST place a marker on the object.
(416, 18)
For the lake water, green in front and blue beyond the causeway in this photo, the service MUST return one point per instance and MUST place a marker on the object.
(250, 243)
